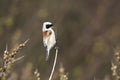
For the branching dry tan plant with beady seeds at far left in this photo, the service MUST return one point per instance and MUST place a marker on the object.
(8, 59)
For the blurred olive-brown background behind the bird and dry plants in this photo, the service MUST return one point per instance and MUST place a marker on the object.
(87, 33)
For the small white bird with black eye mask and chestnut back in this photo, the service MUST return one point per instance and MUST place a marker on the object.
(49, 39)
